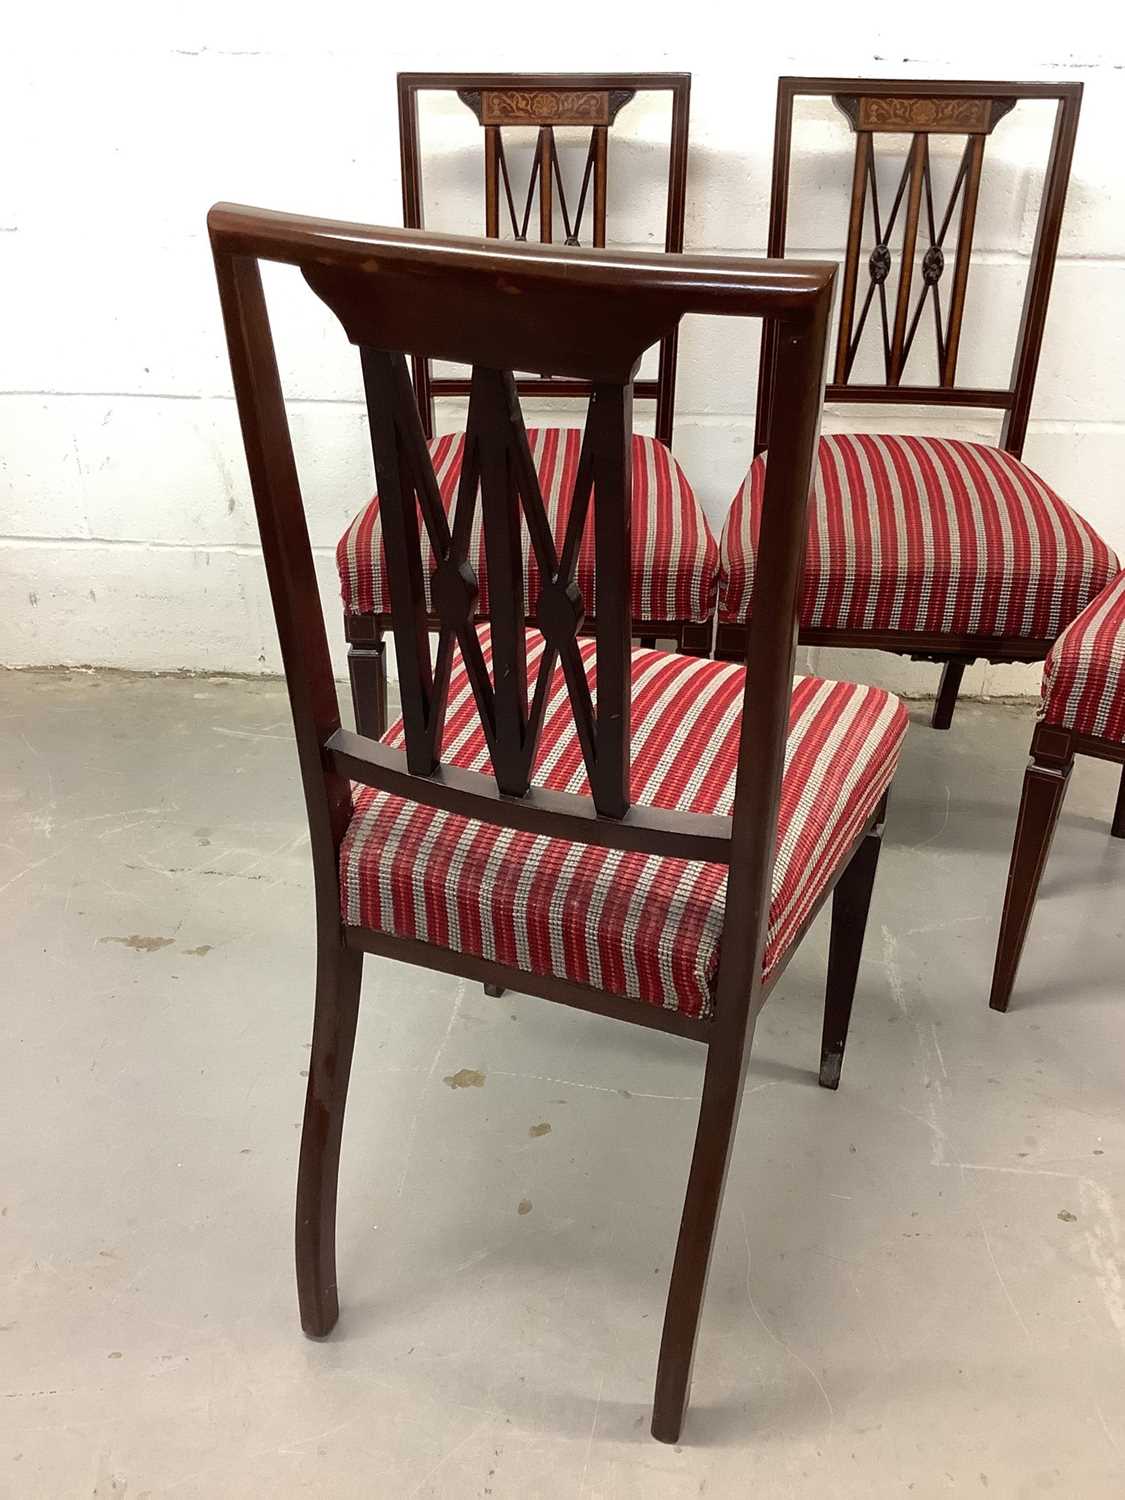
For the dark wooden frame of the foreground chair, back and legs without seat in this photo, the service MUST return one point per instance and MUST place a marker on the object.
(392, 292)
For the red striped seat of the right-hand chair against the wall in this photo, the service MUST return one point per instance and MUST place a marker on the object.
(926, 536)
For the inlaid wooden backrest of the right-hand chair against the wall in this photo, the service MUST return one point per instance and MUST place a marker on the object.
(910, 289)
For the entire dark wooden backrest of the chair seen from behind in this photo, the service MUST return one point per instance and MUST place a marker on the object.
(520, 307)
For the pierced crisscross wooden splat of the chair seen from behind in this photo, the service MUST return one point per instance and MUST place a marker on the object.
(499, 475)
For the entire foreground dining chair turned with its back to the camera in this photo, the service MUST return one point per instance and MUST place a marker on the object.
(556, 814)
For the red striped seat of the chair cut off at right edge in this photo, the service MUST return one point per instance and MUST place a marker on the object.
(1084, 683)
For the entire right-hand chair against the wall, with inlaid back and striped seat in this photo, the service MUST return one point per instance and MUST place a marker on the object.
(928, 547)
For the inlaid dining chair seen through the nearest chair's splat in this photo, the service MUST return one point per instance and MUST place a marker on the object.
(559, 196)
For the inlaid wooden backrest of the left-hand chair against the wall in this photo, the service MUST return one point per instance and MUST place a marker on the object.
(550, 205)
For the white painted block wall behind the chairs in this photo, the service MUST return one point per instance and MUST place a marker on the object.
(127, 530)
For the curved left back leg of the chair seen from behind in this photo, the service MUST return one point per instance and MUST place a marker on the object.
(334, 1036)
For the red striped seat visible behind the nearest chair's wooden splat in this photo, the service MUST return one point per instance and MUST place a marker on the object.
(676, 557)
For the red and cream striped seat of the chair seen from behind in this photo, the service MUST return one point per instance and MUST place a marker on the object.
(640, 926)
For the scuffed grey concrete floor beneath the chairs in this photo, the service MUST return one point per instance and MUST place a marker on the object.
(919, 1286)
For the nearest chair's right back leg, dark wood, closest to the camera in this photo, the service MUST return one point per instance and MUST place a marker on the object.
(715, 1136)
